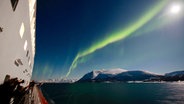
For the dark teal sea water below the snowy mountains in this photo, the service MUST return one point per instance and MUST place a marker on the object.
(114, 93)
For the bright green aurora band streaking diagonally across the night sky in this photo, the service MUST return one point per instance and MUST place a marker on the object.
(116, 36)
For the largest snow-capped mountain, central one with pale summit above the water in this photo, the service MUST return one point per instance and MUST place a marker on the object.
(117, 75)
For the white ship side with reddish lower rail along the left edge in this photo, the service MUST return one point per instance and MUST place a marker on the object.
(17, 43)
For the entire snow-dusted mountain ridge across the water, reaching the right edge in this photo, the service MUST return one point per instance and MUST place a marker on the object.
(133, 75)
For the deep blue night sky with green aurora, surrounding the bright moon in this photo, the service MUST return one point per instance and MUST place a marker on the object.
(74, 37)
